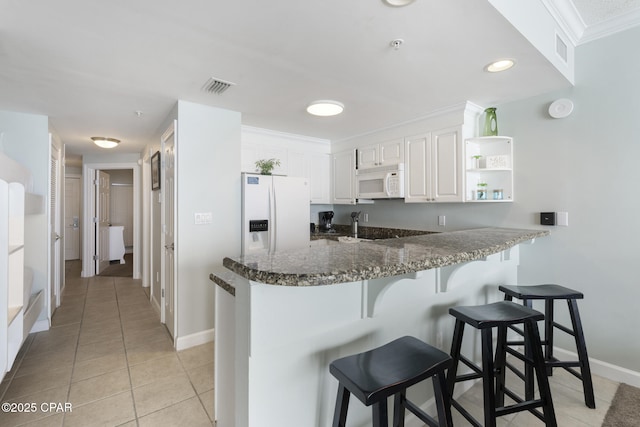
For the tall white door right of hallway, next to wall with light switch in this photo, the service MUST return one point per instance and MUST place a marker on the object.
(168, 225)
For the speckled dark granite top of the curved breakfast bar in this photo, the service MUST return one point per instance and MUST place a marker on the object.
(348, 262)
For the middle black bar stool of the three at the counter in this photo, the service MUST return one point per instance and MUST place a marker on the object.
(499, 315)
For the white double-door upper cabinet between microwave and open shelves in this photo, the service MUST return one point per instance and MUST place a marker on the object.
(434, 167)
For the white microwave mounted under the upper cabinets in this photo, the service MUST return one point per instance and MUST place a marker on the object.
(383, 182)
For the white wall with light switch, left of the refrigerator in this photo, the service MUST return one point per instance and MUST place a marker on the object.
(208, 180)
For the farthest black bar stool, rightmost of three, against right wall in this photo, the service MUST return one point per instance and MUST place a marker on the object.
(549, 293)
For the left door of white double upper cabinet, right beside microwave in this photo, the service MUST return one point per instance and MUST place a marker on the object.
(416, 170)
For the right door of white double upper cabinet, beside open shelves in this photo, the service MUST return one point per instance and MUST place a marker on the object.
(446, 166)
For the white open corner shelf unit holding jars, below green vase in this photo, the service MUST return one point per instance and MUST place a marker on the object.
(489, 169)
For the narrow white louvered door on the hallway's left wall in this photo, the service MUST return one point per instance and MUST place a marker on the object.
(56, 232)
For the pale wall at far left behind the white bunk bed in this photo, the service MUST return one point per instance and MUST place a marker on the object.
(25, 138)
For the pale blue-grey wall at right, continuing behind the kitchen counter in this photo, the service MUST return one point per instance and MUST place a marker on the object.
(587, 165)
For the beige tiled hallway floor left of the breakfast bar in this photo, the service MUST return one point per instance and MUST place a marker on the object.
(110, 359)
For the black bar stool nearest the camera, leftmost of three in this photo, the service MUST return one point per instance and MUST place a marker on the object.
(388, 370)
